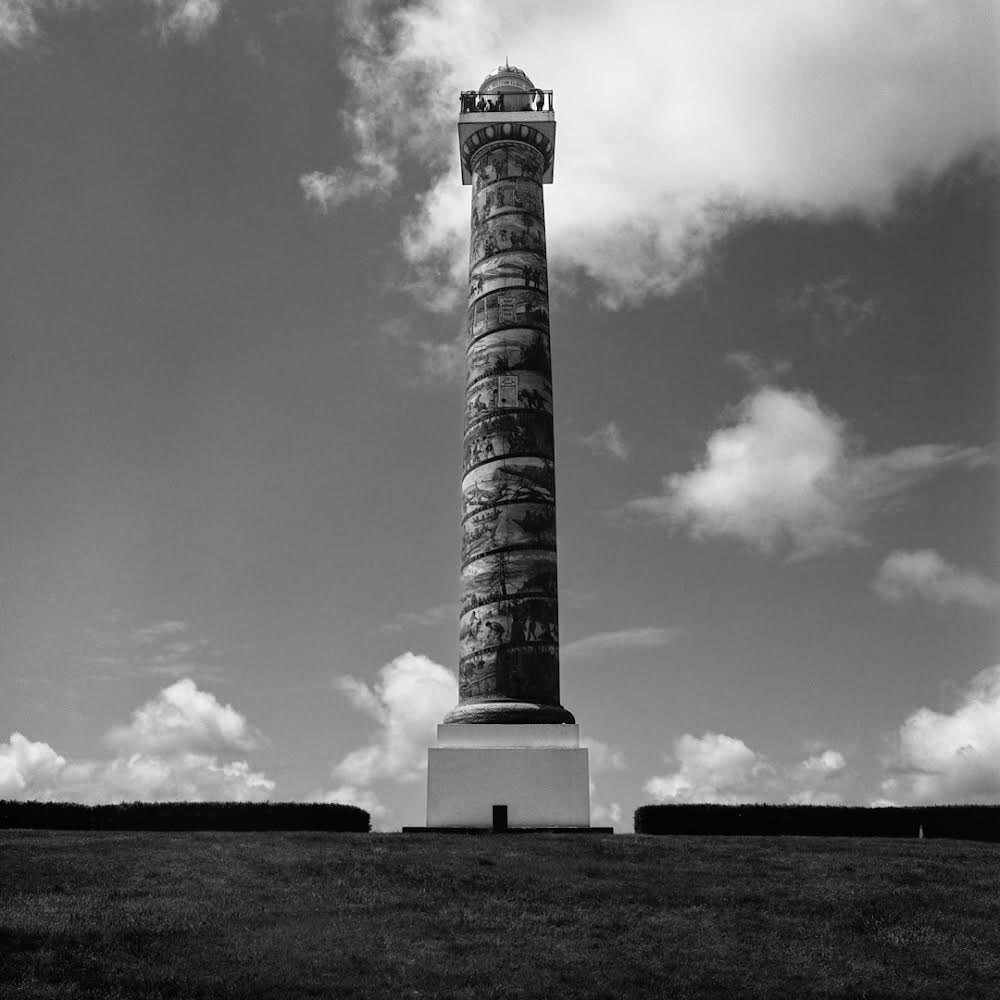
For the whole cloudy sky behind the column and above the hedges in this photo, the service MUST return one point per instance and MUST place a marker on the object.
(233, 245)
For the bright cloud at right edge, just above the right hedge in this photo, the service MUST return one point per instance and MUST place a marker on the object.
(950, 757)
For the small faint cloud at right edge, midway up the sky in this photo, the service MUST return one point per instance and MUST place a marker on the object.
(909, 575)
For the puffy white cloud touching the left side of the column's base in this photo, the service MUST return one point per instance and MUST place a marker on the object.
(411, 697)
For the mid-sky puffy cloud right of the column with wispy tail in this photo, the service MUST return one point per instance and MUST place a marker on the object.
(785, 475)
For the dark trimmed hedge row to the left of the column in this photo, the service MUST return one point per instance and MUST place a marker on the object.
(184, 816)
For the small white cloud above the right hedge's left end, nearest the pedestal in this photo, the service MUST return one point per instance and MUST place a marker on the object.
(714, 768)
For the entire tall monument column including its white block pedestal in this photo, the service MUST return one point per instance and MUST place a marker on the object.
(508, 753)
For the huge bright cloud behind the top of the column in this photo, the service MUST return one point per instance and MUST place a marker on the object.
(717, 111)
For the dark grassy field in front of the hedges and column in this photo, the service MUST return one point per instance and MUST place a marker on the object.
(294, 915)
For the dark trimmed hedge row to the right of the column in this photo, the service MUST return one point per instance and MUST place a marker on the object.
(958, 822)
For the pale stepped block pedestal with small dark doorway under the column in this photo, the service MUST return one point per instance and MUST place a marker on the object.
(539, 772)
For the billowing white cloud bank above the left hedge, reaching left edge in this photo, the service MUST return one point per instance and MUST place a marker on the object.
(170, 751)
